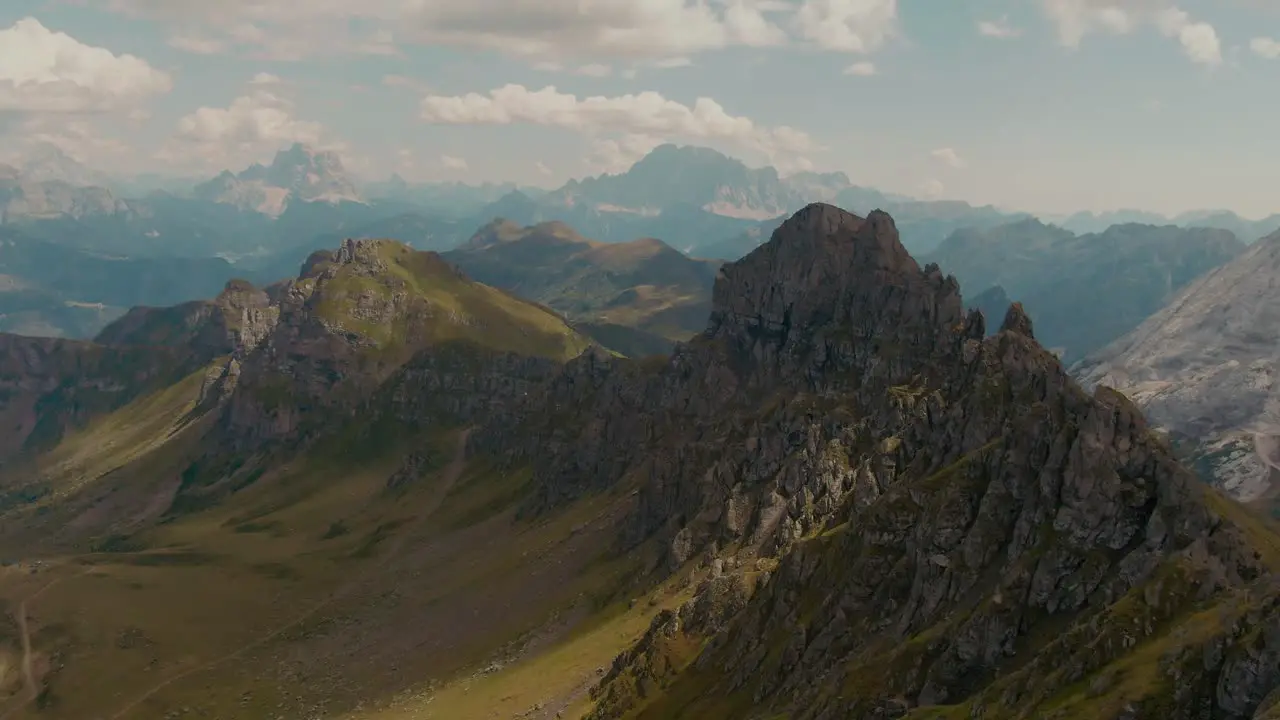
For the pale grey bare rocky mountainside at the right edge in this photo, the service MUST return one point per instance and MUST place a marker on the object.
(1206, 367)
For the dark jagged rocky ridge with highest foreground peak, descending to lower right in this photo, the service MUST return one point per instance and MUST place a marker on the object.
(959, 523)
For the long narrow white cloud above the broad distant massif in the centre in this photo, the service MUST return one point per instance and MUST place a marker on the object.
(642, 116)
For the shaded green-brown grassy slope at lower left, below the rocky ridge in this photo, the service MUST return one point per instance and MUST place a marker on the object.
(313, 589)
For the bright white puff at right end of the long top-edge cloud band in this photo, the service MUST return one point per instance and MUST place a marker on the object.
(848, 26)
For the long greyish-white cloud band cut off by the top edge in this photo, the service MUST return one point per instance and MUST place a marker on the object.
(550, 30)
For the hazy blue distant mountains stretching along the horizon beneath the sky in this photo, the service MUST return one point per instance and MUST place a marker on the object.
(267, 220)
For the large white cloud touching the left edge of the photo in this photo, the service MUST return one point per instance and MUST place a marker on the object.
(43, 71)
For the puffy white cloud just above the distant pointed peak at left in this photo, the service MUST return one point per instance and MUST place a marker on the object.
(249, 130)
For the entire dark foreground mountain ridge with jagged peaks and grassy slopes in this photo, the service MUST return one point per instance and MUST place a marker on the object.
(385, 490)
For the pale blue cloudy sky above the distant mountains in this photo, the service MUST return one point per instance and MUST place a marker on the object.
(1039, 106)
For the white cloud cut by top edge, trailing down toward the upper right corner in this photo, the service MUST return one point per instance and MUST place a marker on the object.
(1078, 19)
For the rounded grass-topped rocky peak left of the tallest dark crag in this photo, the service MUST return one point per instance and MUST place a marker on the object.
(358, 315)
